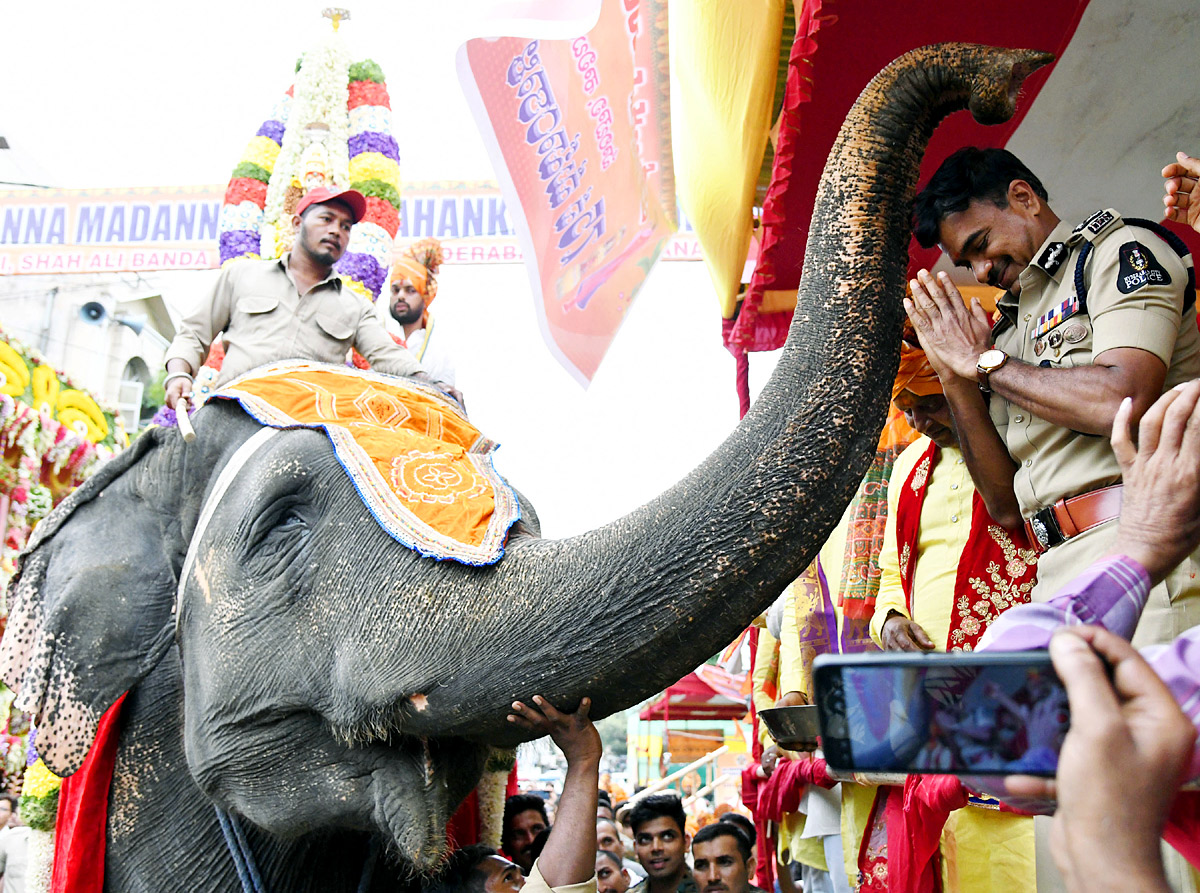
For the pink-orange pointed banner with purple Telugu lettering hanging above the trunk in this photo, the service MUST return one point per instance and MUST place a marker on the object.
(577, 131)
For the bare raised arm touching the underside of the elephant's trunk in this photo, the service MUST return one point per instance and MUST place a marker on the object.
(571, 853)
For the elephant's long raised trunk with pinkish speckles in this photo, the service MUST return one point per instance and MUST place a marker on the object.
(621, 613)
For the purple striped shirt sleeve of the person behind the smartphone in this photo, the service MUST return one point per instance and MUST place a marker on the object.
(1112, 595)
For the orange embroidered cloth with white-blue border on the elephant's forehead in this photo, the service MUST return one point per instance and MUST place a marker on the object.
(423, 471)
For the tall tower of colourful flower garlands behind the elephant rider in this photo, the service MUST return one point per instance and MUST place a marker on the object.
(333, 128)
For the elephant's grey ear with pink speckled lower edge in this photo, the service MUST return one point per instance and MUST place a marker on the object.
(91, 607)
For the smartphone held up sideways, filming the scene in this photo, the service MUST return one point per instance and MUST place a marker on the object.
(961, 714)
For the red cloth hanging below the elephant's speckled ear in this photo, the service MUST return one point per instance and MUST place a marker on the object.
(82, 822)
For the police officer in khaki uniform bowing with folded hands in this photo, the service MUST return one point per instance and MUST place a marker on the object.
(1094, 314)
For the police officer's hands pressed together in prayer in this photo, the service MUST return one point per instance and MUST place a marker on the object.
(952, 335)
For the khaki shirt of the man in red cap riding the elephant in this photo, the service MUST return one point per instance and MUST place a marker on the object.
(266, 320)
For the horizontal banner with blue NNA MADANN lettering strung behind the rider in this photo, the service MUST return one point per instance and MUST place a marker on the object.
(49, 232)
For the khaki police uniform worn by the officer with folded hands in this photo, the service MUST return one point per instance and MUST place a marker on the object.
(1135, 298)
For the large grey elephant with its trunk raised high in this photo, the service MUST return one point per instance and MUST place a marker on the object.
(289, 662)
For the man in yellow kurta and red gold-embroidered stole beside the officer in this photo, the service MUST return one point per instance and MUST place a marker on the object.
(947, 571)
